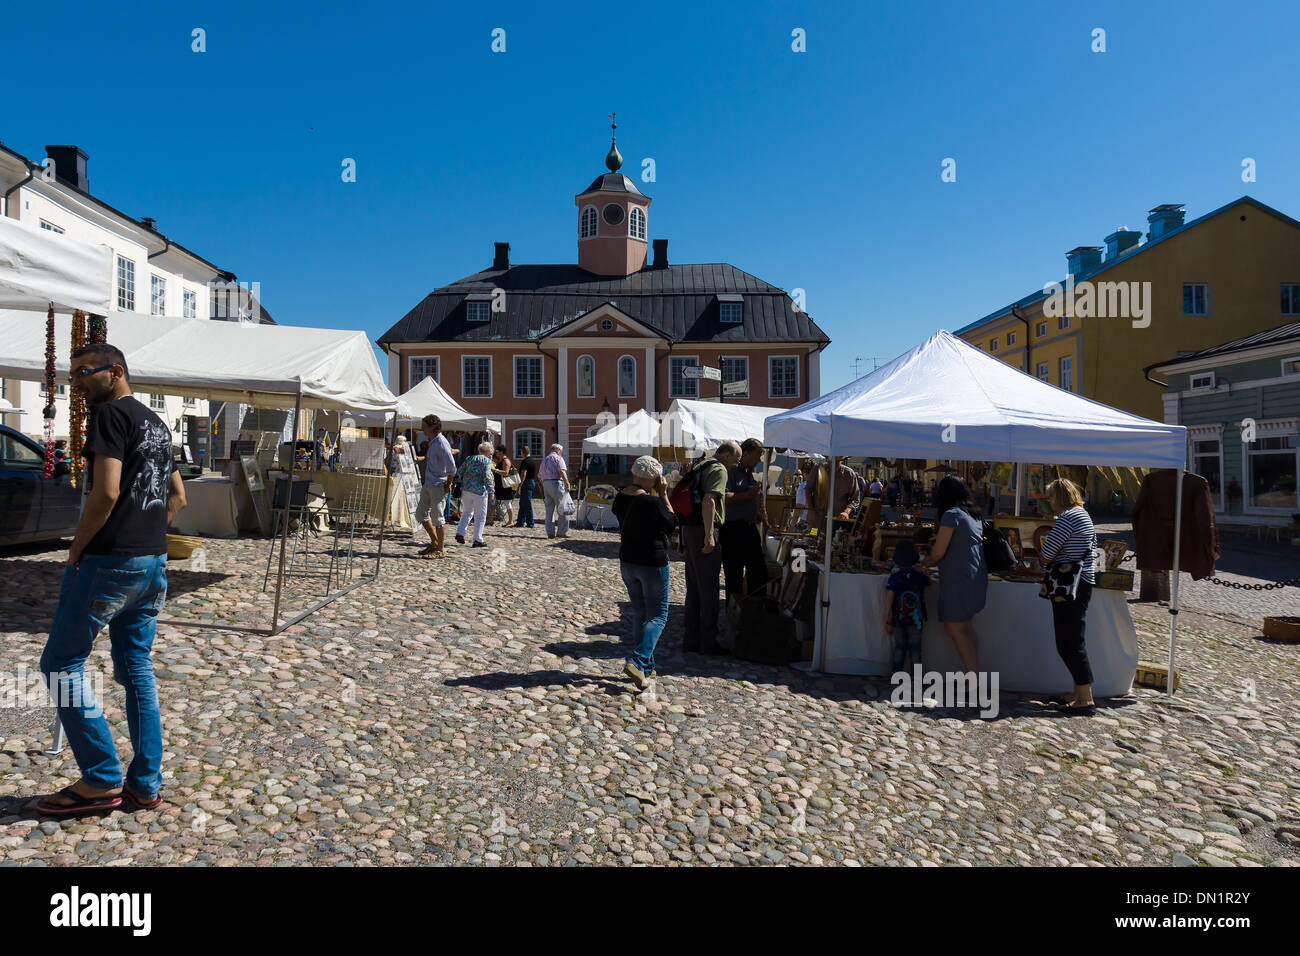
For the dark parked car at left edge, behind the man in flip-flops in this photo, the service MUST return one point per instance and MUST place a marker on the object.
(32, 507)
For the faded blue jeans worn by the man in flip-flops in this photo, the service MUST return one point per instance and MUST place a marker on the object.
(125, 595)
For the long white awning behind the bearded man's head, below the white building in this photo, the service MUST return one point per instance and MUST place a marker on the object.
(267, 366)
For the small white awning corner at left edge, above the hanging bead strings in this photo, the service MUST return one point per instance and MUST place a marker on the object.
(40, 267)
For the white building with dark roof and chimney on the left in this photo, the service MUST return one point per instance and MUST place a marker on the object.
(153, 275)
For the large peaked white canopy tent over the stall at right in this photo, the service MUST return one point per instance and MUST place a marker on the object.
(948, 400)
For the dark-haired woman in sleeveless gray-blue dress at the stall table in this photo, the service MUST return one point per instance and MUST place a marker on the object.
(959, 552)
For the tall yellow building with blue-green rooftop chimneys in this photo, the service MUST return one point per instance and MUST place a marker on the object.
(1188, 287)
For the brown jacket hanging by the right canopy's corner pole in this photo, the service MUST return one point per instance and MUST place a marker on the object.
(1154, 526)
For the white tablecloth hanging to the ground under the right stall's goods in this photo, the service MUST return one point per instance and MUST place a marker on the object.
(1015, 630)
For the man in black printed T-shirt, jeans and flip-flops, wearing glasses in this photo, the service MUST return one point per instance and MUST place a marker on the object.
(116, 577)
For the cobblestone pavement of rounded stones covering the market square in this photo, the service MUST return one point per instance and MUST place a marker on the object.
(471, 711)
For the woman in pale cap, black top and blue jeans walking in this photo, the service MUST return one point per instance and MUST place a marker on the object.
(645, 521)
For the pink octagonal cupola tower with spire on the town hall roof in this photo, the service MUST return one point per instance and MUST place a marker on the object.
(613, 220)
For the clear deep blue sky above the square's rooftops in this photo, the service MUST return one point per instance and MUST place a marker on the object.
(817, 171)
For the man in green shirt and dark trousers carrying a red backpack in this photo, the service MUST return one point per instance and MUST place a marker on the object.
(700, 543)
